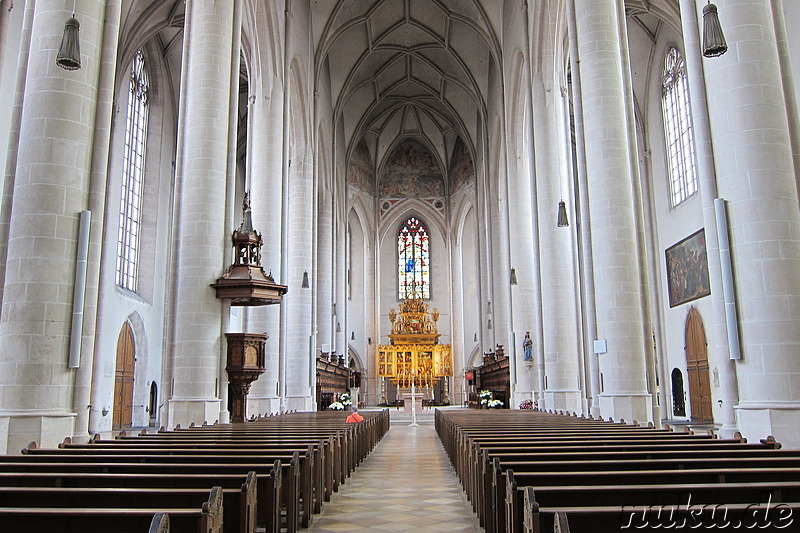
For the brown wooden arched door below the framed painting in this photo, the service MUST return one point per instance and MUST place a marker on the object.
(697, 369)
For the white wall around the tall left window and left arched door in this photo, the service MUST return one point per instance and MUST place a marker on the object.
(149, 305)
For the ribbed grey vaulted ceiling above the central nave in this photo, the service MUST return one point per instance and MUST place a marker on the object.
(404, 69)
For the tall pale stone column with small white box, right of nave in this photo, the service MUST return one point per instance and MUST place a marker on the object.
(608, 166)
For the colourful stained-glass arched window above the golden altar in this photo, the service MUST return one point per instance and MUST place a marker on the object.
(413, 260)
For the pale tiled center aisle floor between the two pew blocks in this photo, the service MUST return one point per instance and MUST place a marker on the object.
(405, 484)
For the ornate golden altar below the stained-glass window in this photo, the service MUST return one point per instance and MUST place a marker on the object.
(414, 357)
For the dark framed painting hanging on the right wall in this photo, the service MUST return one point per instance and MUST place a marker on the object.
(687, 269)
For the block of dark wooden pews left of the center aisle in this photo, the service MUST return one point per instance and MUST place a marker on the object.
(270, 474)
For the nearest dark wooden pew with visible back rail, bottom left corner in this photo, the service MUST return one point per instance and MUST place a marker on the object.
(206, 519)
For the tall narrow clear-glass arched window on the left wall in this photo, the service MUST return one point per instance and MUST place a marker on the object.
(130, 215)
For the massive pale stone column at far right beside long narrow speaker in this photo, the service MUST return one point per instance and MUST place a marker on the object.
(755, 174)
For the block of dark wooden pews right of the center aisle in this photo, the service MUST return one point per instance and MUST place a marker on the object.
(538, 472)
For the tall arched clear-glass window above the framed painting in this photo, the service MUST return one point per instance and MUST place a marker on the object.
(678, 128)
